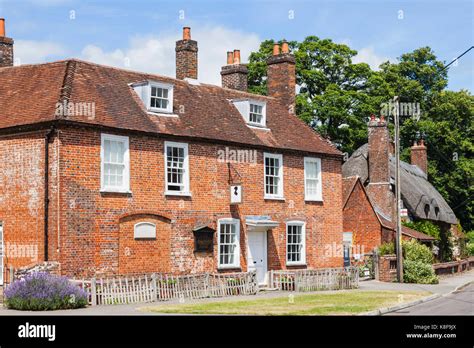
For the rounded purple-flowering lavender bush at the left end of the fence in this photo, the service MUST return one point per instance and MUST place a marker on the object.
(42, 291)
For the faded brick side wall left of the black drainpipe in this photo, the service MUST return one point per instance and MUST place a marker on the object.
(22, 198)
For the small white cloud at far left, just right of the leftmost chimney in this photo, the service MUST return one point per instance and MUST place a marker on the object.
(31, 52)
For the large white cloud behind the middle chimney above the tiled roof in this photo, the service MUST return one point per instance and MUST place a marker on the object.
(156, 54)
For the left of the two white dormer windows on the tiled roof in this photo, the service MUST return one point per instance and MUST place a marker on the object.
(157, 96)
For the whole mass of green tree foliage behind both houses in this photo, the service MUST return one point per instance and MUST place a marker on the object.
(337, 97)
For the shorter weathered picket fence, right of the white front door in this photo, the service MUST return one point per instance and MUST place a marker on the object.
(315, 279)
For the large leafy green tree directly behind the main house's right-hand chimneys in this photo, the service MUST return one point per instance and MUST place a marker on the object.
(333, 95)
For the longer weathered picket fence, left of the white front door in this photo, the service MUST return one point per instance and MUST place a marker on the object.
(161, 287)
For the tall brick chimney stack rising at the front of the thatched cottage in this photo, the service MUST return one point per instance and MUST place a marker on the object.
(379, 188)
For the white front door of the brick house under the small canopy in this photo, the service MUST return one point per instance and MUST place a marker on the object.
(257, 255)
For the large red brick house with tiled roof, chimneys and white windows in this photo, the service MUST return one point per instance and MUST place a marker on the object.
(110, 171)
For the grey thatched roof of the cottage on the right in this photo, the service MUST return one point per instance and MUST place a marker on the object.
(421, 199)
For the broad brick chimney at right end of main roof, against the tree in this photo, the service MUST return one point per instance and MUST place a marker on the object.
(281, 76)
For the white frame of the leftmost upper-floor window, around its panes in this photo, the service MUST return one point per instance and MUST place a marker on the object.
(125, 188)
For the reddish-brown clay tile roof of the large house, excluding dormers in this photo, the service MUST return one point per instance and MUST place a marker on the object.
(28, 95)
